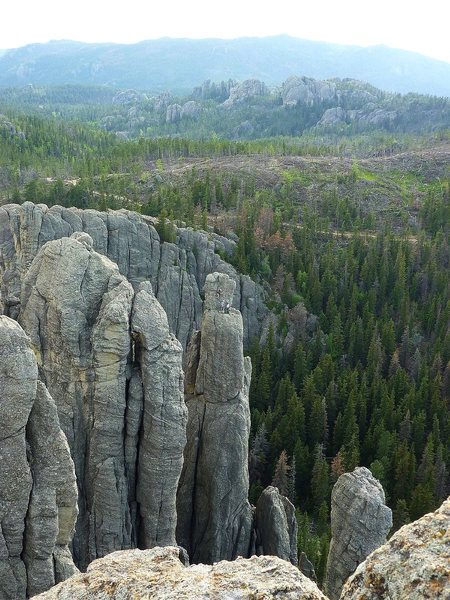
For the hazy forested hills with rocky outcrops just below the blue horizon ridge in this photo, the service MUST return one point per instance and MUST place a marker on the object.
(323, 110)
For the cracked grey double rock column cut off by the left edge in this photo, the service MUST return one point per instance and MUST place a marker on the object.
(38, 493)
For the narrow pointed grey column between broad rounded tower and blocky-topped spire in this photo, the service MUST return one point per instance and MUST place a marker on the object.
(163, 437)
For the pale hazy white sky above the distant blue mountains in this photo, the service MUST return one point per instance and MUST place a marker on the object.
(416, 25)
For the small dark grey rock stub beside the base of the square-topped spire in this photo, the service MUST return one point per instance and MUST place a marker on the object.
(276, 526)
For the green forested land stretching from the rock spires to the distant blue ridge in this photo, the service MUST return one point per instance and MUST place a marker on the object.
(347, 230)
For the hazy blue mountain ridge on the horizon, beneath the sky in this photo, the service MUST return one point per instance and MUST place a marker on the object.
(179, 64)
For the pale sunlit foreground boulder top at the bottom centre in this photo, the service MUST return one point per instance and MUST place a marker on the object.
(159, 574)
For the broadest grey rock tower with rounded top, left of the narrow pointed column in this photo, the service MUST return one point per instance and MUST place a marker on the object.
(76, 308)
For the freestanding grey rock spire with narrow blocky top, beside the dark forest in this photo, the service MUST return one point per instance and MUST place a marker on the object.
(214, 516)
